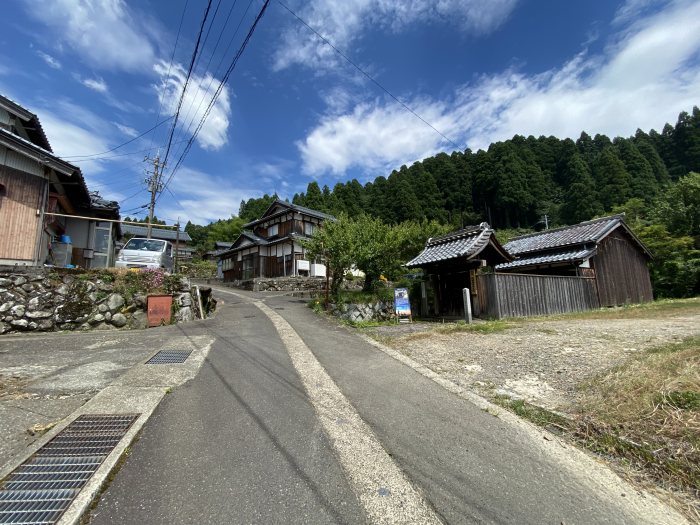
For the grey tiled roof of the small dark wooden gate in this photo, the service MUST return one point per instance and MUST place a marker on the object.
(467, 242)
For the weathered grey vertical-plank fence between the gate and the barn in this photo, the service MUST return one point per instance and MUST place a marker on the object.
(519, 295)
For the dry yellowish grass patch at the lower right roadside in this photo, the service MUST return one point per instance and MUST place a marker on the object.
(647, 412)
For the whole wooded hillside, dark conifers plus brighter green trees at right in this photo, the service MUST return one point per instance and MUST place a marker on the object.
(653, 177)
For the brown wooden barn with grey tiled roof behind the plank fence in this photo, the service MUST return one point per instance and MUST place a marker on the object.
(604, 249)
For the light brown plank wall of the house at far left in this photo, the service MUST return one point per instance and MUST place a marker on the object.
(19, 221)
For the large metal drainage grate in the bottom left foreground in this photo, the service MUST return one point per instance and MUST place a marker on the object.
(43, 487)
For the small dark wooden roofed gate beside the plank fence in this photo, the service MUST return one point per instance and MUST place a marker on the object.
(450, 263)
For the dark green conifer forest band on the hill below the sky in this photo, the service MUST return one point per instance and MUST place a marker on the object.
(516, 182)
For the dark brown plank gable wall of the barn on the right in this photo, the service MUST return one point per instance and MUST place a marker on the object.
(621, 271)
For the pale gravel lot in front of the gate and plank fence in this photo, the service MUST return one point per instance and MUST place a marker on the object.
(541, 361)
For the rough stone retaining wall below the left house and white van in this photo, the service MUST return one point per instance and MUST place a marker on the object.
(38, 299)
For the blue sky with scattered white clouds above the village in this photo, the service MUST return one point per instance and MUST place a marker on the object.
(98, 73)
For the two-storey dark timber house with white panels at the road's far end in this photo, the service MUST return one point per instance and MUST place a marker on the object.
(271, 247)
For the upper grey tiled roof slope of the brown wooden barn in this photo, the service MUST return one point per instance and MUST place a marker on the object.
(585, 232)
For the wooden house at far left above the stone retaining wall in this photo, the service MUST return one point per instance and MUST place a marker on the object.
(47, 214)
